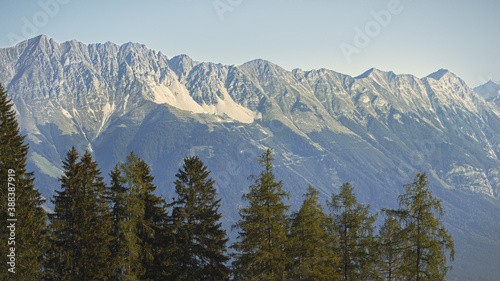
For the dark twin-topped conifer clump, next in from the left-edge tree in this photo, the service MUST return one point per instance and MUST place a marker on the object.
(81, 223)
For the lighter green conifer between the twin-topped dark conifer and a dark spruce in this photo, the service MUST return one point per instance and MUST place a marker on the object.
(139, 227)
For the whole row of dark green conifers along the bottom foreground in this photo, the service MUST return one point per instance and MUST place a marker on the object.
(115, 227)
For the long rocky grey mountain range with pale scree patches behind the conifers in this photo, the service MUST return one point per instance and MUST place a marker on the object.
(375, 130)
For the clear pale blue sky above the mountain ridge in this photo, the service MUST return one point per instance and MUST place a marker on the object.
(415, 37)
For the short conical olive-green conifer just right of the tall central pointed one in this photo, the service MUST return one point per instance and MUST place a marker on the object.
(313, 252)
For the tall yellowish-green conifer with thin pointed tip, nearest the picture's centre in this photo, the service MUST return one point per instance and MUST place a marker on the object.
(263, 226)
